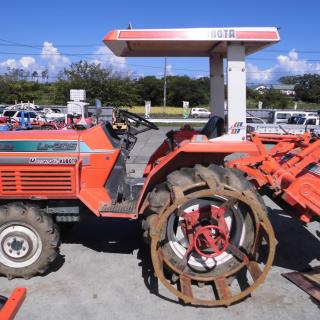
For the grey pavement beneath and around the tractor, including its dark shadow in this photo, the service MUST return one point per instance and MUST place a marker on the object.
(104, 271)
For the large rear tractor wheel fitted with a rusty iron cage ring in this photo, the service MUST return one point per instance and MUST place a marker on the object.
(178, 260)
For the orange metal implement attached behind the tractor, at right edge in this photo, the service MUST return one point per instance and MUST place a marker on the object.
(289, 169)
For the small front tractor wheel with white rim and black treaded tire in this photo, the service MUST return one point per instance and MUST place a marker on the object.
(29, 241)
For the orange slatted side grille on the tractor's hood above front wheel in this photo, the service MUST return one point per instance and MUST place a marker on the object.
(36, 182)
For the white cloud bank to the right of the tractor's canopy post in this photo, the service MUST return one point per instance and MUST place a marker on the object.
(286, 65)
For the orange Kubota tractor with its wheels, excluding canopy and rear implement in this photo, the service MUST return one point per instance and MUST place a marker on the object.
(207, 226)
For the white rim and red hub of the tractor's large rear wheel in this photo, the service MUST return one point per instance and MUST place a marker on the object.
(181, 232)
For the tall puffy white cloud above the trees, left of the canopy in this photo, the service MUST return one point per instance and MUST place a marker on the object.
(55, 61)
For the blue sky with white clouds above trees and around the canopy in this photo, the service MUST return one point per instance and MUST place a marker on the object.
(38, 35)
